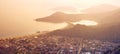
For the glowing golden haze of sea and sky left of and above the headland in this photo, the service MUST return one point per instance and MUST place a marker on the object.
(17, 16)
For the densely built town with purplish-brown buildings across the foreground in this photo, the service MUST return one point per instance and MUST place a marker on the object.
(43, 44)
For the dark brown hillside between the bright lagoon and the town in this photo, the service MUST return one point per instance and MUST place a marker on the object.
(104, 33)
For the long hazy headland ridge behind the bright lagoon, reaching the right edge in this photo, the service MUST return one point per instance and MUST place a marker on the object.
(106, 18)
